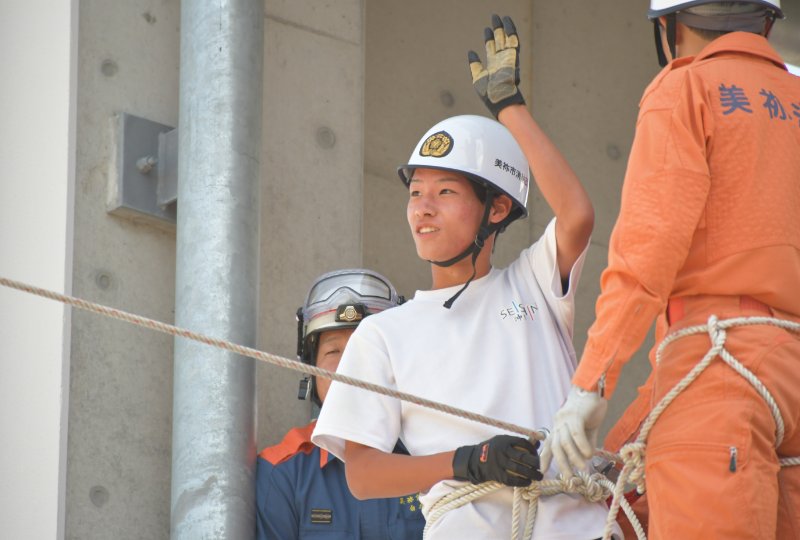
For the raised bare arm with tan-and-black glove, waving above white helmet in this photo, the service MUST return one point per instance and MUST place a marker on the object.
(497, 84)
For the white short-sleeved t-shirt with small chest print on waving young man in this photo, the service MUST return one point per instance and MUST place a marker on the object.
(503, 350)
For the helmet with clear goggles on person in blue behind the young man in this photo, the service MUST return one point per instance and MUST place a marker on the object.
(337, 300)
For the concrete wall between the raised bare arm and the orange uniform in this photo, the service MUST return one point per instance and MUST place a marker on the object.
(590, 67)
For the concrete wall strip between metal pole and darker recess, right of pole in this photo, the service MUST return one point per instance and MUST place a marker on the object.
(311, 216)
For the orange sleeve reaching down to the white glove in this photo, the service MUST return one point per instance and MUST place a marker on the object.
(663, 198)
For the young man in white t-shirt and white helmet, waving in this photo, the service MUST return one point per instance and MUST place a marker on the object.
(497, 342)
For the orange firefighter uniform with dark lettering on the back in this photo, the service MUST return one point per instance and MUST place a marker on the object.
(710, 224)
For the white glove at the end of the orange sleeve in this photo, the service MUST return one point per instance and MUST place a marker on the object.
(574, 434)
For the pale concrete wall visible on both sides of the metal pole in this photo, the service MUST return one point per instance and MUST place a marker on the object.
(121, 385)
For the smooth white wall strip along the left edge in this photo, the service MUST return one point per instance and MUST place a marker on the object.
(37, 136)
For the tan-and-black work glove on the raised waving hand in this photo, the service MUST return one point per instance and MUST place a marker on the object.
(497, 84)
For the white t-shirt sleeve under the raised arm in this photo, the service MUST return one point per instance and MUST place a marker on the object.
(542, 256)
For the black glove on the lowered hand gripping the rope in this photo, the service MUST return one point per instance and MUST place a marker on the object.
(510, 460)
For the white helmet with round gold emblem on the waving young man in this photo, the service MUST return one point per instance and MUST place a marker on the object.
(481, 149)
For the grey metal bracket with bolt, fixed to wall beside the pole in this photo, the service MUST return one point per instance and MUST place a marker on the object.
(143, 181)
